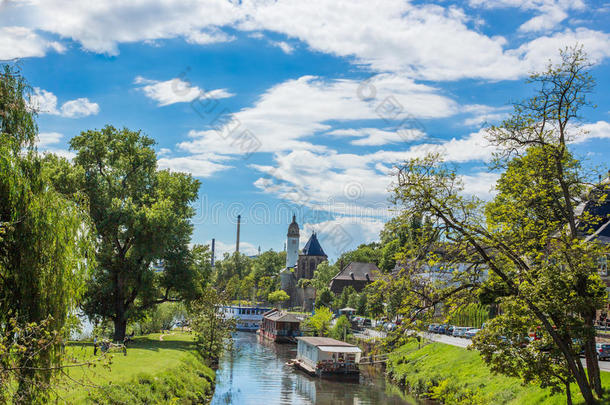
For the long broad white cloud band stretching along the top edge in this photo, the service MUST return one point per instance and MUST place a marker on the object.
(426, 41)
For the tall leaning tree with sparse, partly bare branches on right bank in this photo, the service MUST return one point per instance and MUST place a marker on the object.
(530, 239)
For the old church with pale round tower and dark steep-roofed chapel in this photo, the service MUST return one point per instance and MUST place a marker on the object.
(300, 266)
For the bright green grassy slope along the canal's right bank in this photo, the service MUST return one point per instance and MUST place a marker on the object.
(459, 376)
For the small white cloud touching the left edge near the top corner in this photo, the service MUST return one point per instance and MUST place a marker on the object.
(22, 42)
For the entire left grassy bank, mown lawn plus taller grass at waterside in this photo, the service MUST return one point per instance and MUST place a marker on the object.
(155, 370)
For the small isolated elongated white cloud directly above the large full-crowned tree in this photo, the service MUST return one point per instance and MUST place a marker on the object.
(176, 91)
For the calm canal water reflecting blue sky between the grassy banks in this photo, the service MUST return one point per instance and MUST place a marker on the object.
(254, 372)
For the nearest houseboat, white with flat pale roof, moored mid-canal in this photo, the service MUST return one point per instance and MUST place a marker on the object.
(326, 357)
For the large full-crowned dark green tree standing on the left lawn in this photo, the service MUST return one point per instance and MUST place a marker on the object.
(142, 218)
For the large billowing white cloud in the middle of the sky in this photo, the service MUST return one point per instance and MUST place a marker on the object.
(290, 112)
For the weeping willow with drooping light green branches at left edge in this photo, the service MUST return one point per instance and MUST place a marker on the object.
(45, 240)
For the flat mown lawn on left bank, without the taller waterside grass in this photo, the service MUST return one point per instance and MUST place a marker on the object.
(146, 354)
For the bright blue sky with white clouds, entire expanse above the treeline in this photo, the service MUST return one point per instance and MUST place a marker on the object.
(291, 106)
